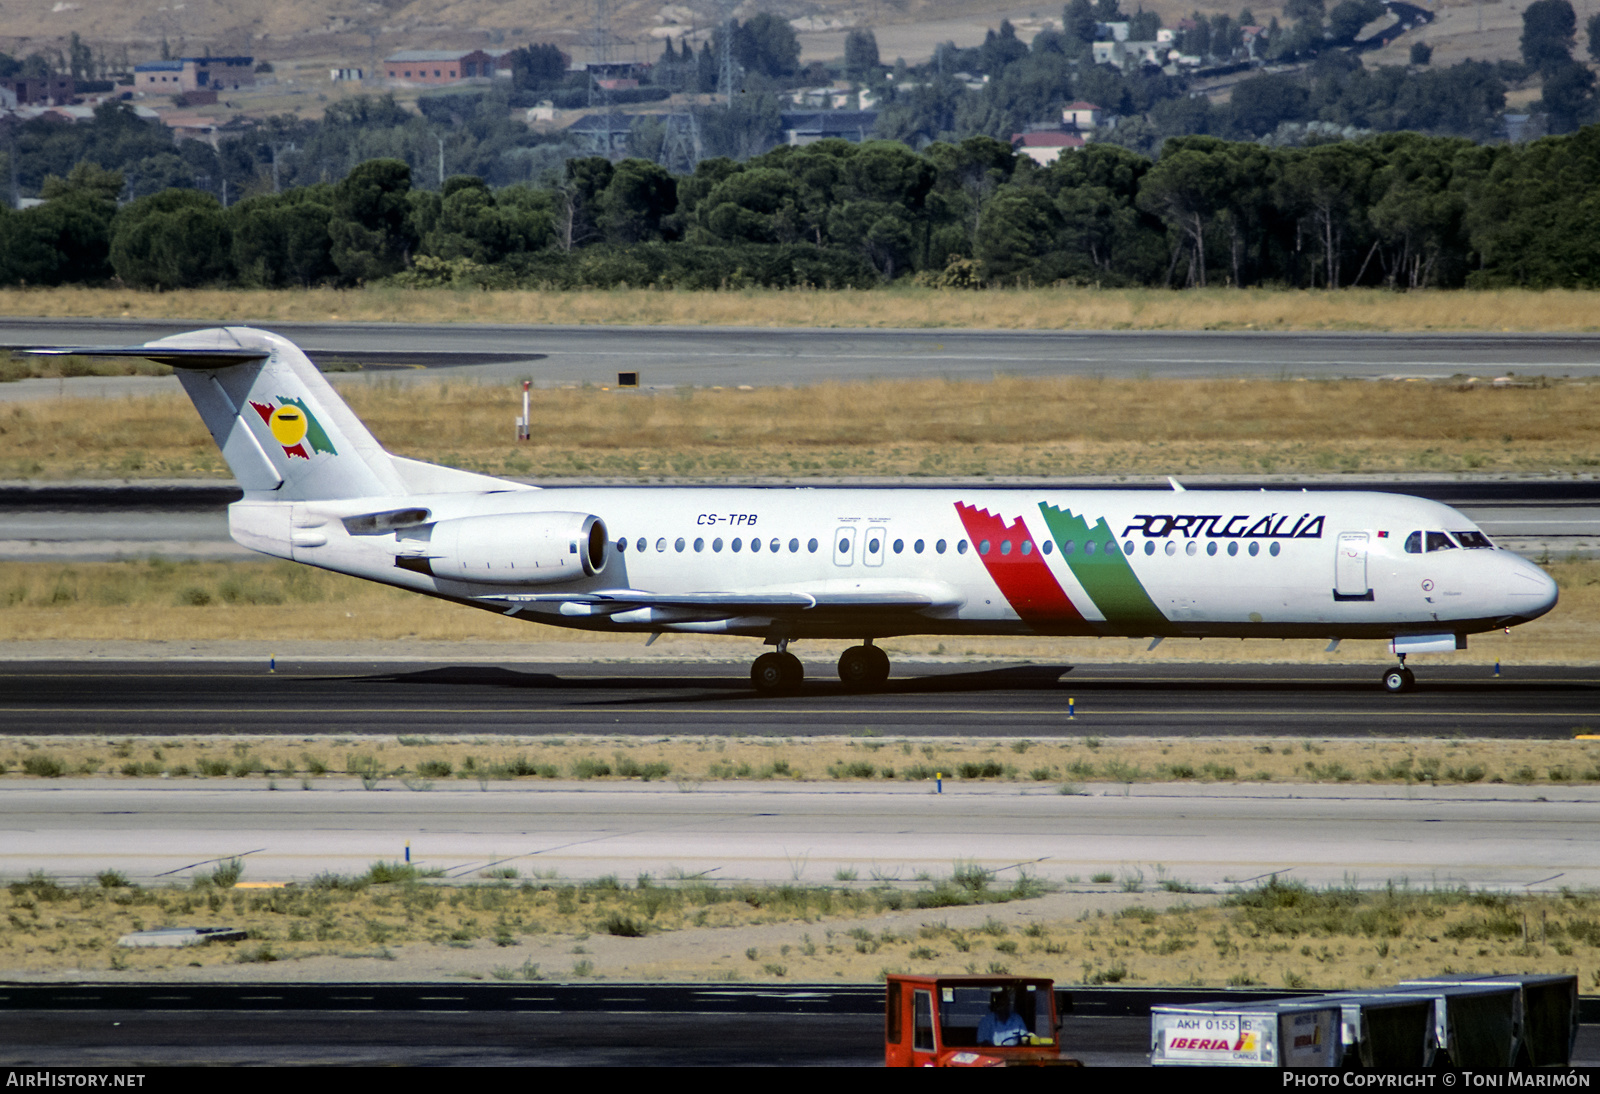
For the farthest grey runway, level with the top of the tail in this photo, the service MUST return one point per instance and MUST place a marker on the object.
(711, 356)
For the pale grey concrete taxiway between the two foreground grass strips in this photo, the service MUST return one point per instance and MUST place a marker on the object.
(1212, 836)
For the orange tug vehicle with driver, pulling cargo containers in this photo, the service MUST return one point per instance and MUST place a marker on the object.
(972, 1021)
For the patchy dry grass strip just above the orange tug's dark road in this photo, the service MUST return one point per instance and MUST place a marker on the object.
(1274, 936)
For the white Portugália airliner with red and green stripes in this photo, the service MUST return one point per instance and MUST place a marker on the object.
(791, 564)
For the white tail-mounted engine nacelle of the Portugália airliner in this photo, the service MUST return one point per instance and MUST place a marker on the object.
(519, 549)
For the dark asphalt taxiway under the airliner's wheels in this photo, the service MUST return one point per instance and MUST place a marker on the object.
(922, 700)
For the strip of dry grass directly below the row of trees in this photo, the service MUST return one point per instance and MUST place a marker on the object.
(903, 306)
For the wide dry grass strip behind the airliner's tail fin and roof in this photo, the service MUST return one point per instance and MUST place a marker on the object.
(930, 428)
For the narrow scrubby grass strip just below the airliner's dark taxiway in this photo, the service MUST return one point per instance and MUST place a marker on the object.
(1060, 762)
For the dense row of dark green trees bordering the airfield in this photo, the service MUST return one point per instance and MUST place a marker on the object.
(1401, 210)
